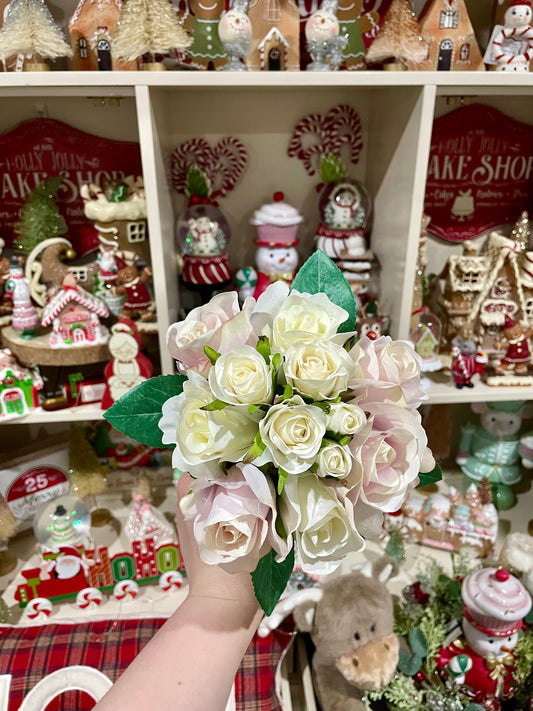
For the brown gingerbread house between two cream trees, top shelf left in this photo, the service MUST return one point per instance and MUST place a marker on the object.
(91, 27)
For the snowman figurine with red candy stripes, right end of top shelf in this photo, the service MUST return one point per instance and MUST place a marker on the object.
(512, 46)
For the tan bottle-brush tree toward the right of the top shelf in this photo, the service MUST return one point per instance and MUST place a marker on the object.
(398, 44)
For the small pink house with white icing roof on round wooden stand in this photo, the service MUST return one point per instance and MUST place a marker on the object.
(75, 315)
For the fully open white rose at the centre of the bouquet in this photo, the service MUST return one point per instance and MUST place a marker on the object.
(292, 433)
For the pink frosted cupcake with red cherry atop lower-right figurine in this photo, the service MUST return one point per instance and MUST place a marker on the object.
(494, 601)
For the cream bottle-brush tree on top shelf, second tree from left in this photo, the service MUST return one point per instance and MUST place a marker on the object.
(147, 28)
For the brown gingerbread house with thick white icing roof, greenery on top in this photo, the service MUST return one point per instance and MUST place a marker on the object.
(119, 216)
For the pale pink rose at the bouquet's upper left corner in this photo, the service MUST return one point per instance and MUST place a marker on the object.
(219, 324)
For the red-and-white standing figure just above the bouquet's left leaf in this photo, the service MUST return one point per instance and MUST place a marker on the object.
(128, 366)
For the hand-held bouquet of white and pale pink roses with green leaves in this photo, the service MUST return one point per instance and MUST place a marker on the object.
(297, 438)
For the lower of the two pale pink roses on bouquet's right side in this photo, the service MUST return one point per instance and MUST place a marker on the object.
(388, 458)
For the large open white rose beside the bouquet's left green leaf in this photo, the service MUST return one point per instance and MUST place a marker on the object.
(205, 439)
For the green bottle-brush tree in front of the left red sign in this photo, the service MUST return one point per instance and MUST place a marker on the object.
(40, 217)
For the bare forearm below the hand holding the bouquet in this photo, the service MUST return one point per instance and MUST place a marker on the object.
(191, 662)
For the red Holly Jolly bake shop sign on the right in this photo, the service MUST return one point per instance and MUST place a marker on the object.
(480, 173)
